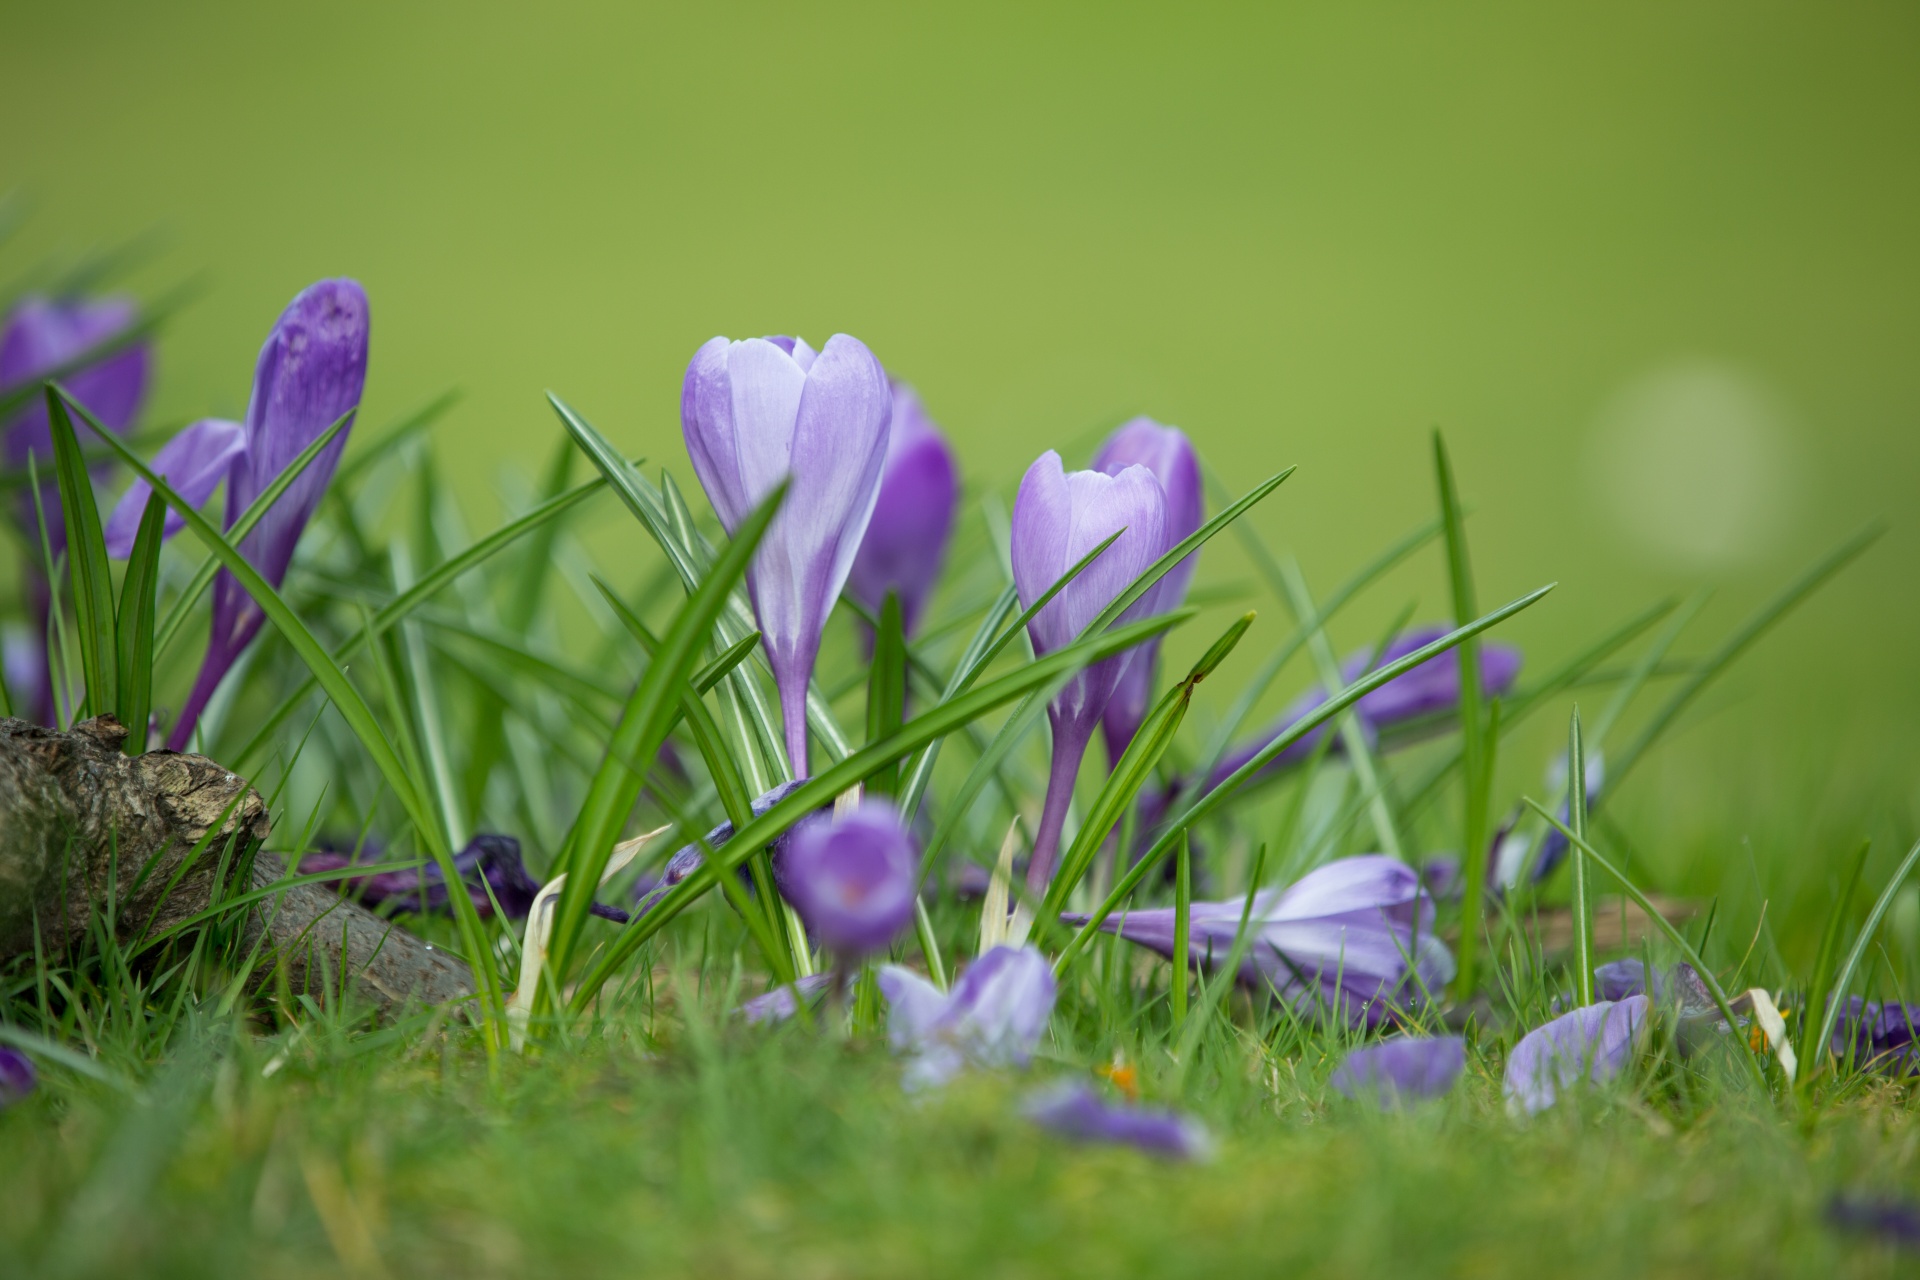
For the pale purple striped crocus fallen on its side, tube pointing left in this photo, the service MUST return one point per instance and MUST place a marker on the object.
(1353, 937)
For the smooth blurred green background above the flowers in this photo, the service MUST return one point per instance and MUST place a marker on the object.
(1654, 268)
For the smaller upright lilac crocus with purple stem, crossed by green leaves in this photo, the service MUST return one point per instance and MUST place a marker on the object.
(1059, 517)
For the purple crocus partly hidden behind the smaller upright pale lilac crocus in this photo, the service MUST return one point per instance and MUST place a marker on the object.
(1170, 456)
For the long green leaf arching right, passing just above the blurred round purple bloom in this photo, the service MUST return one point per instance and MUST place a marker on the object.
(844, 774)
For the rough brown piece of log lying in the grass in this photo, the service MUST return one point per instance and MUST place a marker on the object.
(84, 826)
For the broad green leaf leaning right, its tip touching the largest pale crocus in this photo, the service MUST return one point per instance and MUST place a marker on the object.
(642, 730)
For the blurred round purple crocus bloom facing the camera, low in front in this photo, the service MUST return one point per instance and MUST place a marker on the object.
(853, 878)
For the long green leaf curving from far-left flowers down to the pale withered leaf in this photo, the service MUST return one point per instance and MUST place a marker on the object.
(352, 709)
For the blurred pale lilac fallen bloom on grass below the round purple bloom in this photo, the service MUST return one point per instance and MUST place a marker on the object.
(992, 1018)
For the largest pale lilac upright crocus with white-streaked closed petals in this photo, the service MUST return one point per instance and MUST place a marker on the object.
(756, 414)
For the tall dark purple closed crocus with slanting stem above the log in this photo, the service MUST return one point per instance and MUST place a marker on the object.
(310, 375)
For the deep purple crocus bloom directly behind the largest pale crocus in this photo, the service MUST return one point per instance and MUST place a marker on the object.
(907, 538)
